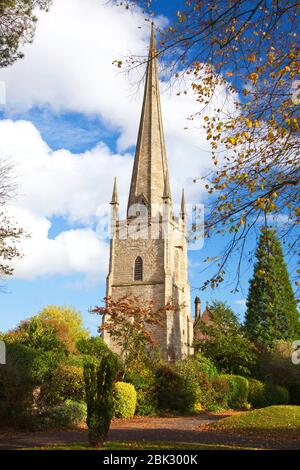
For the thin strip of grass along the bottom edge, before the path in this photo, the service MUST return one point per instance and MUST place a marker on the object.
(141, 445)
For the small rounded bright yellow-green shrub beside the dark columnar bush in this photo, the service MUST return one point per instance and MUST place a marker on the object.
(125, 398)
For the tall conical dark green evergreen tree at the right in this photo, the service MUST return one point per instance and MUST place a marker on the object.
(271, 306)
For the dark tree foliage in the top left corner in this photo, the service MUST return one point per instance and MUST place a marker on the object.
(17, 26)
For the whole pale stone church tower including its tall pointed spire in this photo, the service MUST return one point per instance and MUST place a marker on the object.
(148, 252)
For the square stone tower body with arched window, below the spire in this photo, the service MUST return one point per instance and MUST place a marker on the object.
(164, 280)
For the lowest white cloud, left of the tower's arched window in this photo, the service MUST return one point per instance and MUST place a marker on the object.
(72, 251)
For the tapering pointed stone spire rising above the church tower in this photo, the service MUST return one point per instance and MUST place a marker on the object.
(150, 170)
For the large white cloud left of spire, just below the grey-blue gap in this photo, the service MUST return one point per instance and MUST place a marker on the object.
(53, 183)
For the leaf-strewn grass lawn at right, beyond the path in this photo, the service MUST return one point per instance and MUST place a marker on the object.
(274, 421)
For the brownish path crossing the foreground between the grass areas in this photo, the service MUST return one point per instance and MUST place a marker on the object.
(175, 429)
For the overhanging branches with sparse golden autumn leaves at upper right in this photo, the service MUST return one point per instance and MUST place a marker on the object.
(241, 59)
